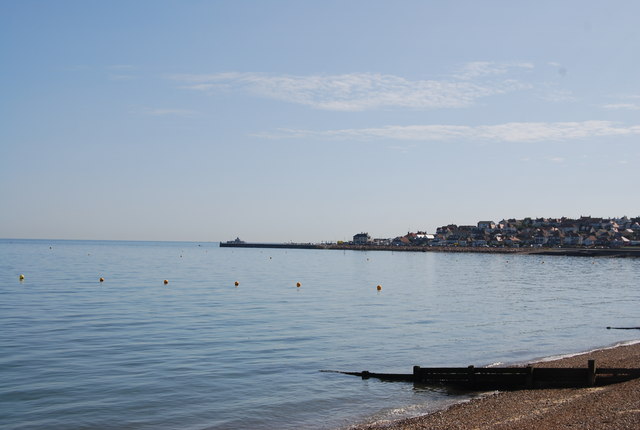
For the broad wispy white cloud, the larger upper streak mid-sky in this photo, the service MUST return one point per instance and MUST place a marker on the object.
(366, 91)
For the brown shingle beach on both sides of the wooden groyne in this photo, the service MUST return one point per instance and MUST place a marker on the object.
(614, 406)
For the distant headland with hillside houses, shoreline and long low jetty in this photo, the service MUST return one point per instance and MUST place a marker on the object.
(585, 236)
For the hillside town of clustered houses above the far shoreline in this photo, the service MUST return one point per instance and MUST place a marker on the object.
(584, 232)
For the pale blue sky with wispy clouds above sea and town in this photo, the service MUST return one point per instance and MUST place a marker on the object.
(312, 121)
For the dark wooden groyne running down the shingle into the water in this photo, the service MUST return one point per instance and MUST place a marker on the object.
(509, 378)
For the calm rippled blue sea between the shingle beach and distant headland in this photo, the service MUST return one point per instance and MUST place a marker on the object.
(201, 353)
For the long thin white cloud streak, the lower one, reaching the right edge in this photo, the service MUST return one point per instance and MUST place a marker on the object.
(508, 132)
